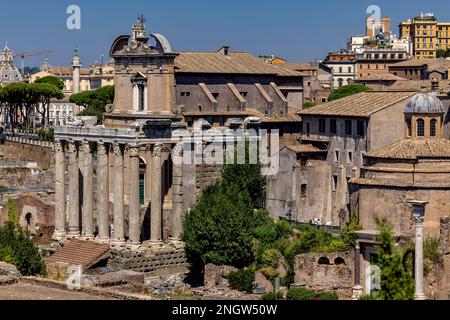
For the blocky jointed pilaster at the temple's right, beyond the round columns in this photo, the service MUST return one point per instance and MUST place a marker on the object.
(177, 196)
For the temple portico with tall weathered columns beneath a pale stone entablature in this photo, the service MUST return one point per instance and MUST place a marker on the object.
(94, 165)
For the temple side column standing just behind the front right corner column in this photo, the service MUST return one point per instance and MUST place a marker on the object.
(156, 213)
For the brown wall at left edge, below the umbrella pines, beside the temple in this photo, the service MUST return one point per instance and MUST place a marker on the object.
(27, 152)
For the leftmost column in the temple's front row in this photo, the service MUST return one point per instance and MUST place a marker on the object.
(60, 195)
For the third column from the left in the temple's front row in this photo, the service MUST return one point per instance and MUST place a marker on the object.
(88, 193)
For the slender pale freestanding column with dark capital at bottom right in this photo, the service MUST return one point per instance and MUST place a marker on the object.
(419, 217)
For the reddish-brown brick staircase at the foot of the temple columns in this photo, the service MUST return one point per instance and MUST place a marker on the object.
(76, 253)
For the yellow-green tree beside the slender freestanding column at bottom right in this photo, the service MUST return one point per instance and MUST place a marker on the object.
(397, 281)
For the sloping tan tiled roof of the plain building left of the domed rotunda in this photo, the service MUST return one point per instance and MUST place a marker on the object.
(359, 105)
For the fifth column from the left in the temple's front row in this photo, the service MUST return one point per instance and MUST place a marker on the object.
(119, 234)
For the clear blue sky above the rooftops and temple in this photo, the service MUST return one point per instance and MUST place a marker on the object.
(297, 30)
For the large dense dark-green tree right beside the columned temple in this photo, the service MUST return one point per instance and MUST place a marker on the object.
(220, 228)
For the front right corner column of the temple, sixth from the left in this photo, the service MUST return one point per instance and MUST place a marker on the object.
(134, 213)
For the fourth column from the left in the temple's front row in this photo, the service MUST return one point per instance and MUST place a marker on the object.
(103, 193)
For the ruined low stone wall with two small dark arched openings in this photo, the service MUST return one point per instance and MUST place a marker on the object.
(326, 272)
